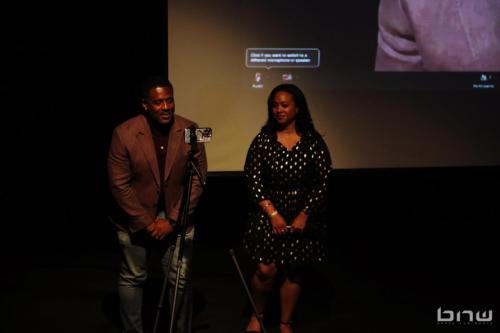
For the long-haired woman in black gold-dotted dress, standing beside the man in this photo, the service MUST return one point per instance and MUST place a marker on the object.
(287, 169)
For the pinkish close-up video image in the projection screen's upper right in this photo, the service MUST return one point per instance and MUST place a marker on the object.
(445, 35)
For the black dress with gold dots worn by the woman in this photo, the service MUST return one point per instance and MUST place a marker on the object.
(293, 180)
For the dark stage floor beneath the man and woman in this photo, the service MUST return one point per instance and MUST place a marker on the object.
(374, 283)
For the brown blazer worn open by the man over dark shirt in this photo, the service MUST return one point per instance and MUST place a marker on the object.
(134, 175)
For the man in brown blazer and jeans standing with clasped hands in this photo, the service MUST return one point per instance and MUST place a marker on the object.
(147, 162)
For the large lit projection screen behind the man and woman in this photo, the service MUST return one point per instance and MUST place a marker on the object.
(358, 62)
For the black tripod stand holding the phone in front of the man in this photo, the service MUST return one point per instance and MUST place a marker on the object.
(191, 170)
